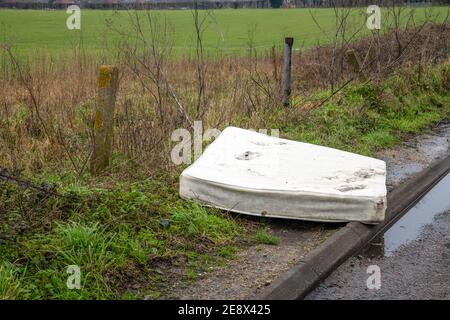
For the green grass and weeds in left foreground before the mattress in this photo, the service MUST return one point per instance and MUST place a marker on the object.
(113, 235)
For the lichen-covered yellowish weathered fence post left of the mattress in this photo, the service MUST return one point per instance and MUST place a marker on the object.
(104, 118)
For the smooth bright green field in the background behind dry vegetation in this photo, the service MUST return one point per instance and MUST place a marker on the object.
(226, 30)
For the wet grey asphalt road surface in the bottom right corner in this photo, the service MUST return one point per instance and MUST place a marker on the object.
(419, 269)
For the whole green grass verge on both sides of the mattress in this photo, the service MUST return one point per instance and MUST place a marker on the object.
(136, 240)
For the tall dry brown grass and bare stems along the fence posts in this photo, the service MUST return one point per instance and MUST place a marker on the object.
(46, 105)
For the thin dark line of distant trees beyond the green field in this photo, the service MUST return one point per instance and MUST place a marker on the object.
(201, 4)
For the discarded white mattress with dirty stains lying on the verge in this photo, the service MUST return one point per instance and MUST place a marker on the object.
(252, 173)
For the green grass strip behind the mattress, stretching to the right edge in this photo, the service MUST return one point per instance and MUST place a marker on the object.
(365, 118)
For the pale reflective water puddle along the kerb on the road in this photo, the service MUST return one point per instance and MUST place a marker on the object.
(409, 227)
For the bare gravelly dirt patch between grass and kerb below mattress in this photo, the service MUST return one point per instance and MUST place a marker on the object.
(257, 266)
